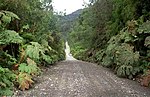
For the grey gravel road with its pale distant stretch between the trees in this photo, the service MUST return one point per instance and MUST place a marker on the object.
(74, 78)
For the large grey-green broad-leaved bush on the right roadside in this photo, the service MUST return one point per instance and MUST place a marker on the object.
(120, 54)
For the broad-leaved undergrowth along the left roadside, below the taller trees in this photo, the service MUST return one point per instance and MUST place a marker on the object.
(21, 57)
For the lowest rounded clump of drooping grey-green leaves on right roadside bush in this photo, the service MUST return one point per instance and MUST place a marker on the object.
(127, 61)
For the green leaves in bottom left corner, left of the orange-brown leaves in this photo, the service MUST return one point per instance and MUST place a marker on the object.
(6, 81)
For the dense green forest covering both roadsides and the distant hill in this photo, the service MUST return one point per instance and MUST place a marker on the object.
(112, 33)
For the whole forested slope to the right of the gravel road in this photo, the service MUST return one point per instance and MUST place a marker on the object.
(115, 34)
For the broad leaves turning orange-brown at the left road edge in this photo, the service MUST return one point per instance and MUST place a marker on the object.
(26, 72)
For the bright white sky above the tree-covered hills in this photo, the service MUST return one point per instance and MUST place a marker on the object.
(68, 5)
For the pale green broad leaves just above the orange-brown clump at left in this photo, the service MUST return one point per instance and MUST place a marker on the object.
(37, 52)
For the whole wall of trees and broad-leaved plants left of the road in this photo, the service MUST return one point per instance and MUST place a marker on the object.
(29, 39)
